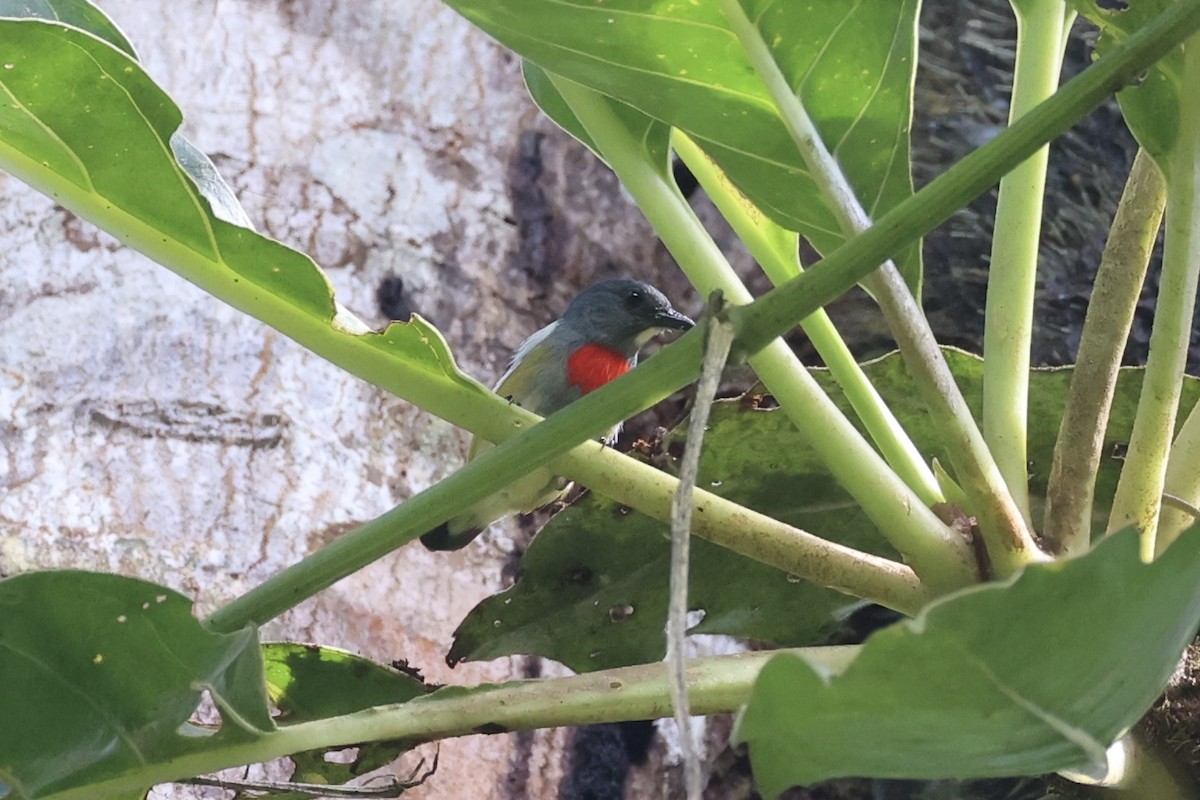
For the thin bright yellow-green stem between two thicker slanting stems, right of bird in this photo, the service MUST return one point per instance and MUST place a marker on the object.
(779, 260)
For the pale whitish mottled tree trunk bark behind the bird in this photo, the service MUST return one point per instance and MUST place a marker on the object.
(148, 430)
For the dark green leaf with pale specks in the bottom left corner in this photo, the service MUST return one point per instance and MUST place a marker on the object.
(104, 671)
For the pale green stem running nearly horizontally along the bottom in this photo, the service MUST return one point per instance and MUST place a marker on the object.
(717, 685)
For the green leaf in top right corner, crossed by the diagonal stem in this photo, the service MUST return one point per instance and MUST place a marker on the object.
(1151, 109)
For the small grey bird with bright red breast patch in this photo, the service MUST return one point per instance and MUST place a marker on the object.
(596, 341)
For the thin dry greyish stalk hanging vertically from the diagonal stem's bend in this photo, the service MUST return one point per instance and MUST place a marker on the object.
(717, 350)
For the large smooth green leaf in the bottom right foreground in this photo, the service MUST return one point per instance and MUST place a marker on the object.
(1033, 677)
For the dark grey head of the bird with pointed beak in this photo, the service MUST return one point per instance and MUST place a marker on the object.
(622, 315)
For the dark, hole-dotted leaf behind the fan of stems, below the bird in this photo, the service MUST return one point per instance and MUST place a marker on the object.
(592, 588)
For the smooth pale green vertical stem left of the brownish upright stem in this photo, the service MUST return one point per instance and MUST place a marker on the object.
(1012, 275)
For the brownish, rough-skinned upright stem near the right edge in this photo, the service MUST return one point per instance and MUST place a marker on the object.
(1078, 452)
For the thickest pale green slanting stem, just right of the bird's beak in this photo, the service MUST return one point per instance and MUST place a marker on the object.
(940, 556)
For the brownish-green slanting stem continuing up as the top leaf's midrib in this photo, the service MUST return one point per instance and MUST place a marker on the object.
(1004, 527)
